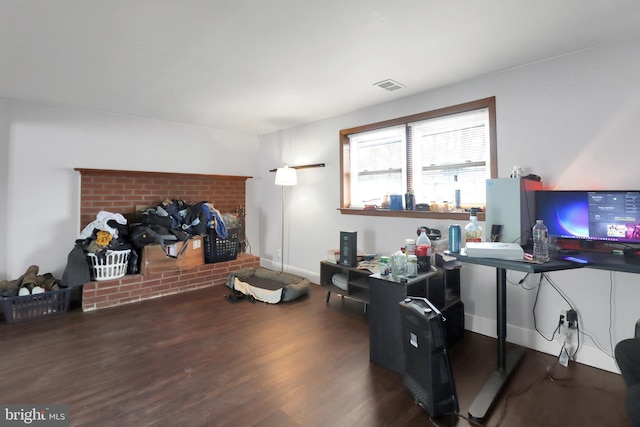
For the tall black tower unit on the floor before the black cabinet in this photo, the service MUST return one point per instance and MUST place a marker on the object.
(427, 373)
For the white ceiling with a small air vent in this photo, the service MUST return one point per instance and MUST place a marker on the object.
(262, 65)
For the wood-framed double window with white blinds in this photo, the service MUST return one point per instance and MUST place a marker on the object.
(431, 153)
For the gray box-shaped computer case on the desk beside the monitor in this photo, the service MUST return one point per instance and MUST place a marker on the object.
(511, 203)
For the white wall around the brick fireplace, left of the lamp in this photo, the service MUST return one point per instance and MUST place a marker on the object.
(44, 144)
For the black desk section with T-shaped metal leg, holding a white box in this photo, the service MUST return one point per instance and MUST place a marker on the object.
(507, 361)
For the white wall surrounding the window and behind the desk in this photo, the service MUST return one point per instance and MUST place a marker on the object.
(571, 120)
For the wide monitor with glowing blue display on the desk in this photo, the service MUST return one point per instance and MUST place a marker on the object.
(609, 216)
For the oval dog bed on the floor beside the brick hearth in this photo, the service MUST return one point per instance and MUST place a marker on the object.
(267, 285)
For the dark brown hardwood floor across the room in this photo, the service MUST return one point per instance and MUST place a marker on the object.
(196, 359)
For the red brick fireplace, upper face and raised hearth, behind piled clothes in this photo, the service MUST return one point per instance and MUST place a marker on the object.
(120, 192)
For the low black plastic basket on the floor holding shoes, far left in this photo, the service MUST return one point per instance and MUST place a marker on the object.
(36, 306)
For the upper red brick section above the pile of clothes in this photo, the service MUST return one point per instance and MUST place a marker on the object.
(121, 191)
